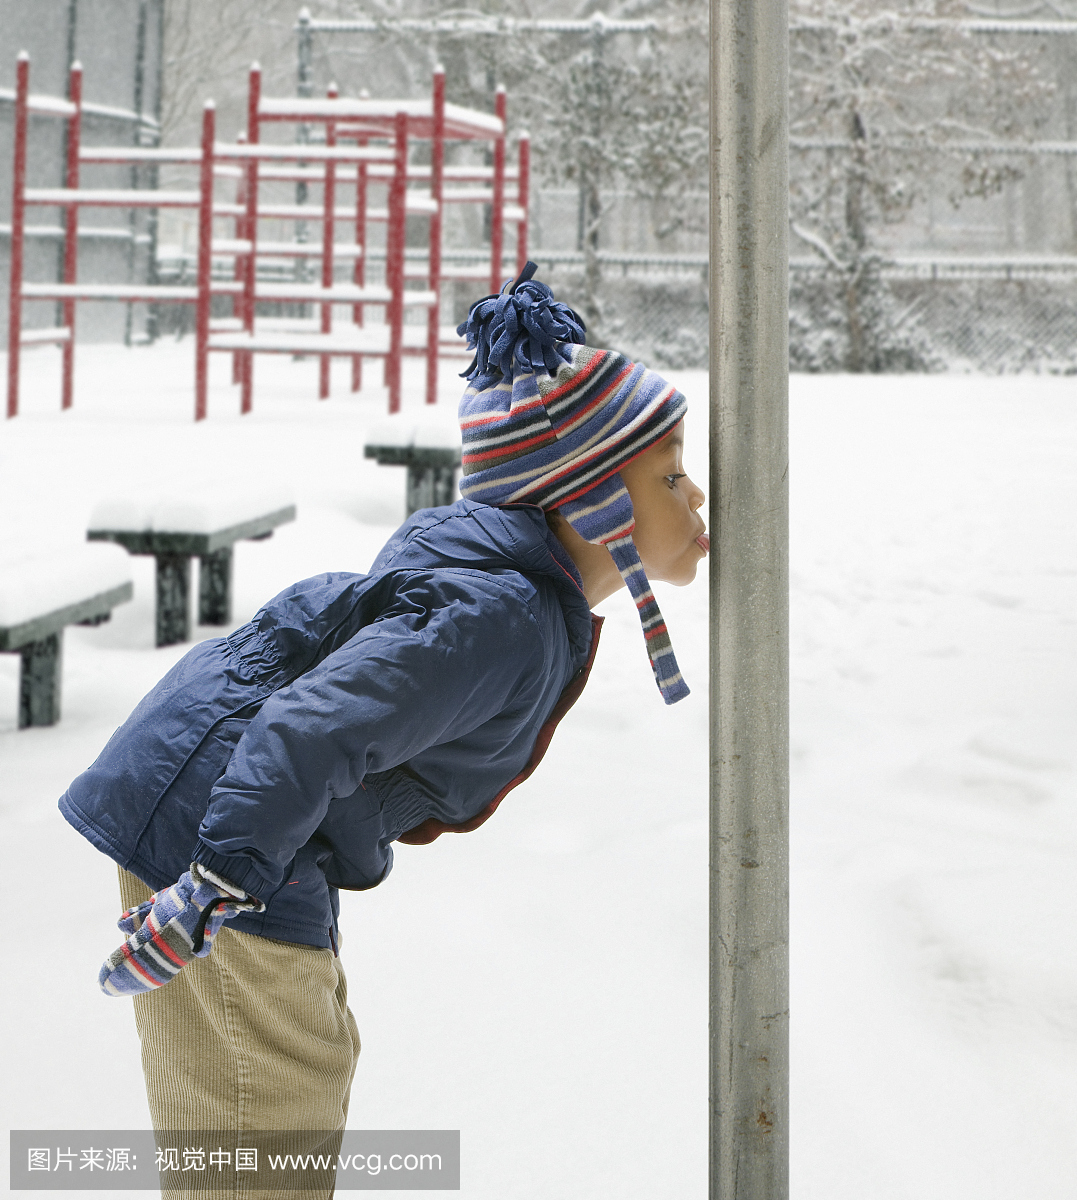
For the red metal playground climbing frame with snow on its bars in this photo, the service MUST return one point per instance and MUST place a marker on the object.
(364, 142)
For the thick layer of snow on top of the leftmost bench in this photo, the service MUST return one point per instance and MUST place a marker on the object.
(35, 586)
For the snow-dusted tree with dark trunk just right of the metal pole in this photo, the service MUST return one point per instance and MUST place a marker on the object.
(875, 98)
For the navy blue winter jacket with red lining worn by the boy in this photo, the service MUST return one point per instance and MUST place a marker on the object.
(352, 711)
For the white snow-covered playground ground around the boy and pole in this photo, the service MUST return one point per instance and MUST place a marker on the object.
(541, 985)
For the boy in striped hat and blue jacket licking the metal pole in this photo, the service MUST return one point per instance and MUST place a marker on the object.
(357, 711)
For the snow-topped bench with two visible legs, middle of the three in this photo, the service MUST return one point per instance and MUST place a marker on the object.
(175, 530)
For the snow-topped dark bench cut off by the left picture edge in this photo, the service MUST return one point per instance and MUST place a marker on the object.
(43, 596)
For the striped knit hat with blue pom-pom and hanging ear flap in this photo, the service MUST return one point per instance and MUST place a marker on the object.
(547, 421)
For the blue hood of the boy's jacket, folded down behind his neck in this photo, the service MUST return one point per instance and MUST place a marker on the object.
(484, 538)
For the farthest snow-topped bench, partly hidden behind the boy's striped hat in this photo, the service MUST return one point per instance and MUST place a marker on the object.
(429, 445)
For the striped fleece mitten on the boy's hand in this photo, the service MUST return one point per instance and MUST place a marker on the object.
(171, 929)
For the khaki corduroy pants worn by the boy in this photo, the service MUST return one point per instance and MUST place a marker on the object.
(257, 1036)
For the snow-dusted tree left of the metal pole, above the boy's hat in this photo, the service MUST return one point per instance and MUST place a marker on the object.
(605, 111)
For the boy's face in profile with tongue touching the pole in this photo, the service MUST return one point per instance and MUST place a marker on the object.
(666, 503)
